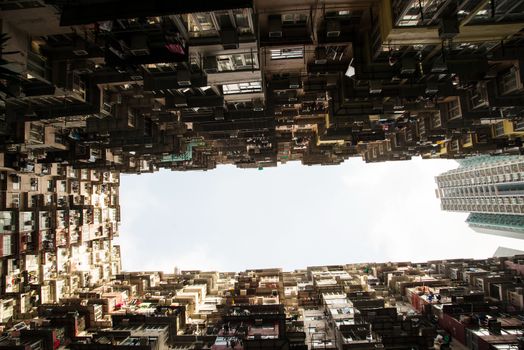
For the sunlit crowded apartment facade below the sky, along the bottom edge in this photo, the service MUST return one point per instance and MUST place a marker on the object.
(475, 304)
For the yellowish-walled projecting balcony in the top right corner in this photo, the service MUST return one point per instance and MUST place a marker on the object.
(408, 22)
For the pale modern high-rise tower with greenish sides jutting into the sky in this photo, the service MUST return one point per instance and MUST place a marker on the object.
(491, 188)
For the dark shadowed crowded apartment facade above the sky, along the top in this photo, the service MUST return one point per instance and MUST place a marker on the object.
(257, 83)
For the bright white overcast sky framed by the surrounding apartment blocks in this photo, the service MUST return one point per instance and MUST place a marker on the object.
(292, 217)
